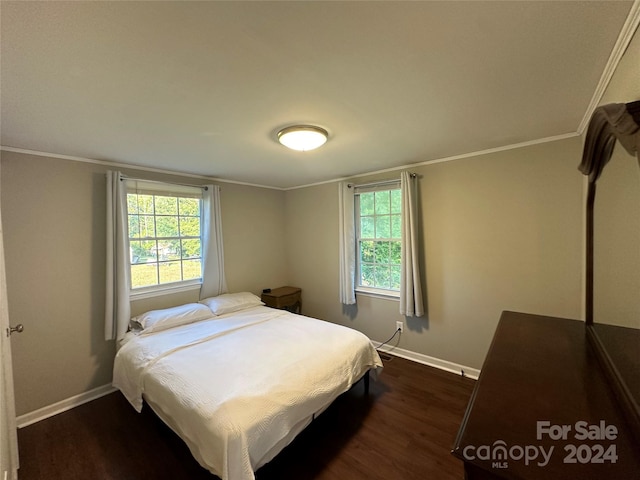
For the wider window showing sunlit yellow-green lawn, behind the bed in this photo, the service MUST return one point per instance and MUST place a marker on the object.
(165, 236)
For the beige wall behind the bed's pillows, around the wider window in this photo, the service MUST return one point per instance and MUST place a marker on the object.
(53, 215)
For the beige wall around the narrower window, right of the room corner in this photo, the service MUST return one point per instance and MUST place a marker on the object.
(501, 232)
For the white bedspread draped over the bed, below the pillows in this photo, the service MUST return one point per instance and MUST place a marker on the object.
(239, 387)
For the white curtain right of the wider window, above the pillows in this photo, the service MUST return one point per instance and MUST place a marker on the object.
(213, 279)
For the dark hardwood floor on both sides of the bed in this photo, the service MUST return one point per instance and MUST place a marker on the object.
(403, 430)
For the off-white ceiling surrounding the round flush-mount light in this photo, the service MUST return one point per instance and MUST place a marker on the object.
(203, 87)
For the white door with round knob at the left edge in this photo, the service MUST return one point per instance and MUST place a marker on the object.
(8, 433)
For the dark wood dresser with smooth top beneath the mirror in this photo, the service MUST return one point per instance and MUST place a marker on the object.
(543, 409)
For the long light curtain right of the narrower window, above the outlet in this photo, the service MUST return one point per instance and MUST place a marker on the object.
(410, 287)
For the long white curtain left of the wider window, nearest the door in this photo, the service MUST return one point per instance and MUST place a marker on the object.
(117, 308)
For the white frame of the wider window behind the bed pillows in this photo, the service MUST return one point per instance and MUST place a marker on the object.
(173, 190)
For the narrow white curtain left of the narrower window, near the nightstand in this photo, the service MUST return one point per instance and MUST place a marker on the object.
(347, 245)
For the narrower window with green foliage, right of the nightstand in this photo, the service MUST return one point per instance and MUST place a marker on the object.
(378, 239)
